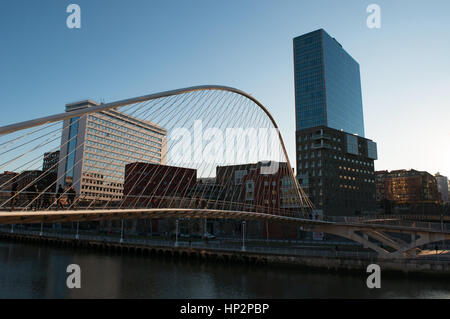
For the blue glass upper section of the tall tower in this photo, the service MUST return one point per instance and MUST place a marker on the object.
(327, 85)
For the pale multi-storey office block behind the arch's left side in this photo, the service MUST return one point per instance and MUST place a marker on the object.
(96, 147)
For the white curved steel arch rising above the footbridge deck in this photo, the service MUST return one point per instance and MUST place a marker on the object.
(112, 105)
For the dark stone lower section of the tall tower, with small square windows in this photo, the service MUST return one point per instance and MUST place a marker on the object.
(336, 170)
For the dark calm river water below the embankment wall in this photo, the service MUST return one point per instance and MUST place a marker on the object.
(33, 271)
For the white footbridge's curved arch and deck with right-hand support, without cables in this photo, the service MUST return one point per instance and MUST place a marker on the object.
(358, 231)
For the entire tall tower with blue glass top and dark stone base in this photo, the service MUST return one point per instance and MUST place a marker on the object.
(335, 163)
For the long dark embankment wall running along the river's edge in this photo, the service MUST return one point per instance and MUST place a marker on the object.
(338, 264)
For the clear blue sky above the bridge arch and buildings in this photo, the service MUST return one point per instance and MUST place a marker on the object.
(130, 48)
